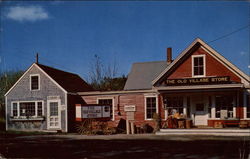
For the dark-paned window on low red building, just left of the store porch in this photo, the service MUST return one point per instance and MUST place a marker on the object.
(150, 107)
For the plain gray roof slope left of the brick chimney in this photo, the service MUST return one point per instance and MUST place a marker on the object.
(142, 74)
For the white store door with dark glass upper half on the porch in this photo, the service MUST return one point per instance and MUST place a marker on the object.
(200, 115)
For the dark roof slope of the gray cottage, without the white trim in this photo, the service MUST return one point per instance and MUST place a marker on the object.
(69, 81)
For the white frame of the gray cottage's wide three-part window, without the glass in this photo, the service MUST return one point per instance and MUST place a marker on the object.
(18, 109)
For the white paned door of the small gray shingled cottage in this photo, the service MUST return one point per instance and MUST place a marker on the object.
(54, 120)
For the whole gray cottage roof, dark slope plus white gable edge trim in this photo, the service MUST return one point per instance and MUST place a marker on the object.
(68, 82)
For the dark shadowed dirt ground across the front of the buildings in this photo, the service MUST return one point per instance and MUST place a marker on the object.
(123, 146)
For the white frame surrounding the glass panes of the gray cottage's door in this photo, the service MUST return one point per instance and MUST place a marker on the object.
(59, 114)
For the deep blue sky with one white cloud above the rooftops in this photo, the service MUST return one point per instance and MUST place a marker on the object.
(68, 34)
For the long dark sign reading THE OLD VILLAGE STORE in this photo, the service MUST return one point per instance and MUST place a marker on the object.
(198, 81)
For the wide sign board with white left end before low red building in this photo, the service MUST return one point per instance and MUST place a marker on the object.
(92, 111)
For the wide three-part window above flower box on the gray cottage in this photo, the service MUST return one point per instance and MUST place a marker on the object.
(27, 109)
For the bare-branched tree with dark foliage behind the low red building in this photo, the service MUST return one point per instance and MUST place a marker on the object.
(105, 77)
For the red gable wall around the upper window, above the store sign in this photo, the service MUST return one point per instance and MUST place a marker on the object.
(213, 68)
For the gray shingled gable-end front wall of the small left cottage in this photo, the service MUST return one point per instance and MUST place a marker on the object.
(21, 92)
